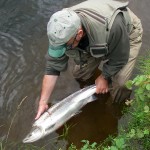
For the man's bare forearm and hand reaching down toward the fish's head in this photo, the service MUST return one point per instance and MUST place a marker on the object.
(48, 85)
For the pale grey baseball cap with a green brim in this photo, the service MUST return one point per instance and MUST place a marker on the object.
(62, 26)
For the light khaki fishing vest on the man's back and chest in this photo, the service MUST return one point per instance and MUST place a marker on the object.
(97, 17)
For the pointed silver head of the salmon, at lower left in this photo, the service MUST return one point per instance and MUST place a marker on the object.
(35, 134)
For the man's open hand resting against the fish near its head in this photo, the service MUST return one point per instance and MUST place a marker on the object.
(43, 106)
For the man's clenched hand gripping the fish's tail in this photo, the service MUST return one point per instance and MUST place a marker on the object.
(101, 85)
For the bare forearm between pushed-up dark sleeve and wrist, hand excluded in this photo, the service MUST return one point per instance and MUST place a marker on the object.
(48, 85)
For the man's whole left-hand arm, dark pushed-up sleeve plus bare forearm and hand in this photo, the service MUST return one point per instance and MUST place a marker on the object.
(53, 68)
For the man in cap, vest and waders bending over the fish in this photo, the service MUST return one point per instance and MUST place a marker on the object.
(92, 32)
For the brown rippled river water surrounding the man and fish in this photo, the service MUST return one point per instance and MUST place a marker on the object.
(23, 45)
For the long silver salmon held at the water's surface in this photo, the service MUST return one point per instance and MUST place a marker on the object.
(60, 113)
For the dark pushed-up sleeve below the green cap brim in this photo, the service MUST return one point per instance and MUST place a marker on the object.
(55, 65)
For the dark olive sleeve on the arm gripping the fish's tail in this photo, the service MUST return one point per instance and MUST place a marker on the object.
(119, 48)
